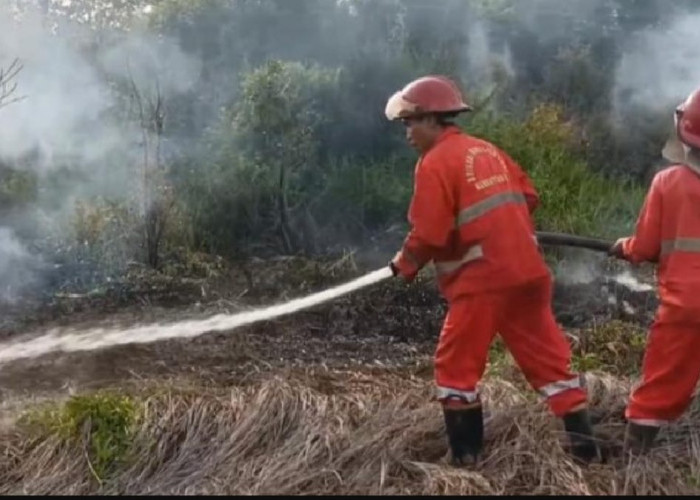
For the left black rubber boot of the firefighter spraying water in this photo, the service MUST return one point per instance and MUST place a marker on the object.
(465, 434)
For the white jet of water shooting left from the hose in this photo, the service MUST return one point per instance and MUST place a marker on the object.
(97, 338)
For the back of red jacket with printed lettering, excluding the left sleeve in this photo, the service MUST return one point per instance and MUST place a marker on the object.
(494, 245)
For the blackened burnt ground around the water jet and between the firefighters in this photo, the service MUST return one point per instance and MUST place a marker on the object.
(389, 325)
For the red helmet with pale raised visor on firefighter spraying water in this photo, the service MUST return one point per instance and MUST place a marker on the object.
(429, 94)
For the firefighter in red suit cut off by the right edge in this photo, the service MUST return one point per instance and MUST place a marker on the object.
(668, 233)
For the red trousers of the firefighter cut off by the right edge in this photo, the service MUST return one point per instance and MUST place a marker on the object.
(670, 370)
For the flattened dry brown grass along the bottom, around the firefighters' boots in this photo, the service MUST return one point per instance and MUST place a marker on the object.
(324, 432)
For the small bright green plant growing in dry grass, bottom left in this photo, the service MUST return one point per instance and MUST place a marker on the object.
(103, 422)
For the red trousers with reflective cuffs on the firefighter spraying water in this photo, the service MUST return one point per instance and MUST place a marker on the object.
(524, 318)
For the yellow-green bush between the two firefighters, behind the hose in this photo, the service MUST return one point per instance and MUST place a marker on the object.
(574, 199)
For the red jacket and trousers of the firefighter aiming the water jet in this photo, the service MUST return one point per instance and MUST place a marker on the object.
(471, 215)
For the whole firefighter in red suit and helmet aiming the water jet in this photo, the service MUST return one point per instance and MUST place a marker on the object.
(470, 215)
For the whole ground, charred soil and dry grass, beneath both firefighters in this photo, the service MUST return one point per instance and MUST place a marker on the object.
(334, 400)
